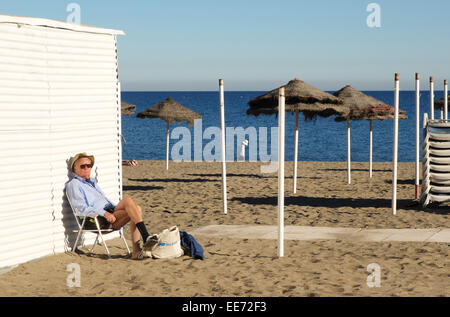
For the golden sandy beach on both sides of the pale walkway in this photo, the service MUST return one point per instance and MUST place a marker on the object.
(189, 195)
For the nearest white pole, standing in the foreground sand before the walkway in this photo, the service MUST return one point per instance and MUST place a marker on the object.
(281, 121)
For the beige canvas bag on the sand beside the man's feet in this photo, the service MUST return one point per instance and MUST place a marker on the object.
(169, 245)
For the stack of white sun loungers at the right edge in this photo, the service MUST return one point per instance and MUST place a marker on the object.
(435, 162)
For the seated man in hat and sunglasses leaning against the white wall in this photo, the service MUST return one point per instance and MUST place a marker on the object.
(87, 199)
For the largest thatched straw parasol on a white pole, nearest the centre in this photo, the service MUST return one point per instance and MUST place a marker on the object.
(299, 97)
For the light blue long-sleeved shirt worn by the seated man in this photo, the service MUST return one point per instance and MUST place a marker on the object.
(86, 197)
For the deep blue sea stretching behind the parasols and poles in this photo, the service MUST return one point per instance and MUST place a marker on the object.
(320, 139)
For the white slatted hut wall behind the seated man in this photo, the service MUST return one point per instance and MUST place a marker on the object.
(59, 95)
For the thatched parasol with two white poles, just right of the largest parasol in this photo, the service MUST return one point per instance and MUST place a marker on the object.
(363, 107)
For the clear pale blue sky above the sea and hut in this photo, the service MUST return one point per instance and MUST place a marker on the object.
(262, 44)
